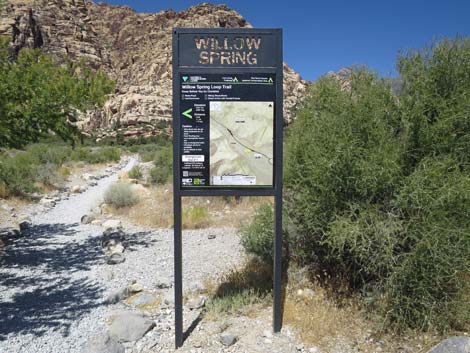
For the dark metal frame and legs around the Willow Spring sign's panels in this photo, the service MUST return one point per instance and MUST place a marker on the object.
(271, 190)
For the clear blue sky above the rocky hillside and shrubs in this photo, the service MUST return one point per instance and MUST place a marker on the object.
(326, 35)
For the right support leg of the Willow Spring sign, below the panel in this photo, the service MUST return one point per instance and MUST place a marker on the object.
(277, 302)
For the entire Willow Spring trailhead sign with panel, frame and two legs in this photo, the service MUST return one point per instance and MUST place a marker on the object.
(227, 129)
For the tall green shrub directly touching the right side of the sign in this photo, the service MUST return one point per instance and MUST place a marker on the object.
(341, 151)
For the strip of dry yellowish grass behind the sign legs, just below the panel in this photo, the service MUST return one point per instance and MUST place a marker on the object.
(155, 209)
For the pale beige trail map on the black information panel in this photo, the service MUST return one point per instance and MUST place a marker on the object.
(241, 142)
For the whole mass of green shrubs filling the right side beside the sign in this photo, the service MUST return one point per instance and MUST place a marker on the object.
(378, 188)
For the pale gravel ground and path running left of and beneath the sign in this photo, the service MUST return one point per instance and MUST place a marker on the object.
(55, 283)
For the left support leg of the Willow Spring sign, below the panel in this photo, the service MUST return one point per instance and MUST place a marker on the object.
(178, 273)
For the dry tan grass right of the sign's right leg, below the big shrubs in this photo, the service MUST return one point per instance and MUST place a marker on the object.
(321, 319)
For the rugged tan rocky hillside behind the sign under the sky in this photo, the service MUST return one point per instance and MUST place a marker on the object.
(133, 48)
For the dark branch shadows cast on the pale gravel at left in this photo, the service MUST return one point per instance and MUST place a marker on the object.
(43, 282)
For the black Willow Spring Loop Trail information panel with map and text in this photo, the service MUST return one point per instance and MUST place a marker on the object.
(227, 129)
